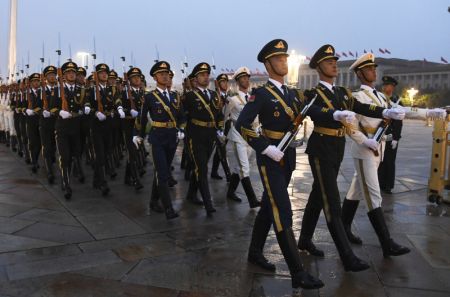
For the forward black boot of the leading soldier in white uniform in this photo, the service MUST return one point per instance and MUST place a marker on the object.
(389, 246)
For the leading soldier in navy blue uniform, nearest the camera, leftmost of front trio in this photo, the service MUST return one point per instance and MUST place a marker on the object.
(276, 106)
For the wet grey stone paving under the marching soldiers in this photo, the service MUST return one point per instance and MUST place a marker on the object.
(114, 246)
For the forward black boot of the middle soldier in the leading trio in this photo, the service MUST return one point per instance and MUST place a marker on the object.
(348, 258)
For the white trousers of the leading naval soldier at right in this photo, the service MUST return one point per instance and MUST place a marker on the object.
(365, 182)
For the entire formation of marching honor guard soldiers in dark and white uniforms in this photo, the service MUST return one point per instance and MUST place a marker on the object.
(65, 123)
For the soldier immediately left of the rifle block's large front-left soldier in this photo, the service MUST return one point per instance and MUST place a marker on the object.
(48, 120)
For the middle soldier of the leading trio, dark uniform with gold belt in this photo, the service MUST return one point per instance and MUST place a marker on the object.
(325, 153)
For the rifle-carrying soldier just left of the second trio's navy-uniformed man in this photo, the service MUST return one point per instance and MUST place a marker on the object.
(132, 107)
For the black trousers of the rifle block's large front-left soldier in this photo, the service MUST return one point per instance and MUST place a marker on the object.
(68, 140)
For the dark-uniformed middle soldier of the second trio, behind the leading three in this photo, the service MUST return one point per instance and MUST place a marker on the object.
(203, 108)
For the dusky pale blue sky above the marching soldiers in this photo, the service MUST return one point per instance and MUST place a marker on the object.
(233, 31)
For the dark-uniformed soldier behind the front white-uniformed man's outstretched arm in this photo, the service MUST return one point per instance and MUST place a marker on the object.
(386, 171)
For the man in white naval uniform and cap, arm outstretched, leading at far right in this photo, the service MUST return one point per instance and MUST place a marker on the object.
(367, 154)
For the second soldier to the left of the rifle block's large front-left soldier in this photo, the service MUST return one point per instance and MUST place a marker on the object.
(33, 110)
